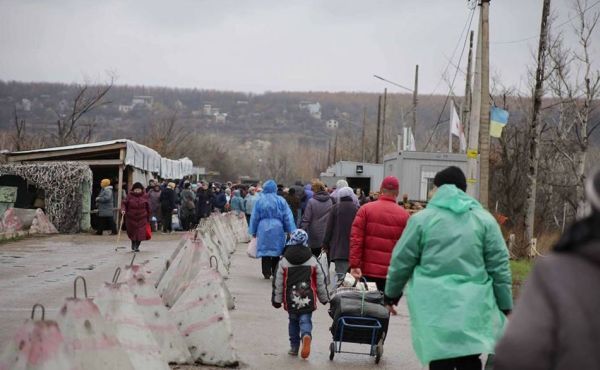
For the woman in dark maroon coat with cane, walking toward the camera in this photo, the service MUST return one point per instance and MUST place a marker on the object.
(136, 210)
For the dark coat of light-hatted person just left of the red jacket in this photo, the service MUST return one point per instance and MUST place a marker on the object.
(339, 226)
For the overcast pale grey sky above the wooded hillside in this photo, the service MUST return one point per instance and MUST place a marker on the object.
(258, 45)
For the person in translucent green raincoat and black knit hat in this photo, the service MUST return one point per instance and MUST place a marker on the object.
(460, 282)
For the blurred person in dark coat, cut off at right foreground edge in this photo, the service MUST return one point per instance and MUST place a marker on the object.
(555, 322)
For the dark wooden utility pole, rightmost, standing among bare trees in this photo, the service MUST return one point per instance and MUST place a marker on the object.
(535, 130)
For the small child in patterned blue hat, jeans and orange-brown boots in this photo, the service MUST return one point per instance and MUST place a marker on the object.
(299, 282)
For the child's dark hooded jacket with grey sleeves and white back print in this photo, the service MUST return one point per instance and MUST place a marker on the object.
(300, 281)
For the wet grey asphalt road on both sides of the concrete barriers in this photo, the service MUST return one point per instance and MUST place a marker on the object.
(41, 270)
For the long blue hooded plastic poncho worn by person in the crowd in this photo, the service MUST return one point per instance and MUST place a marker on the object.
(271, 220)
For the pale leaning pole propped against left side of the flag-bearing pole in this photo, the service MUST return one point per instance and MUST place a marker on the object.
(474, 122)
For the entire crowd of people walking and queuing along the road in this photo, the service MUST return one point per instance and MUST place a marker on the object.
(450, 257)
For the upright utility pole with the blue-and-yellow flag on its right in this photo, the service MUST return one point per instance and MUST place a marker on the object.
(484, 130)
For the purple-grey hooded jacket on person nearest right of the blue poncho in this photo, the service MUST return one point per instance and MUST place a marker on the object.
(314, 220)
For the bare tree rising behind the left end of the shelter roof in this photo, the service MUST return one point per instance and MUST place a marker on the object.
(70, 128)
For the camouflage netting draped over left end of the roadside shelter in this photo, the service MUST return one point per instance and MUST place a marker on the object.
(61, 182)
